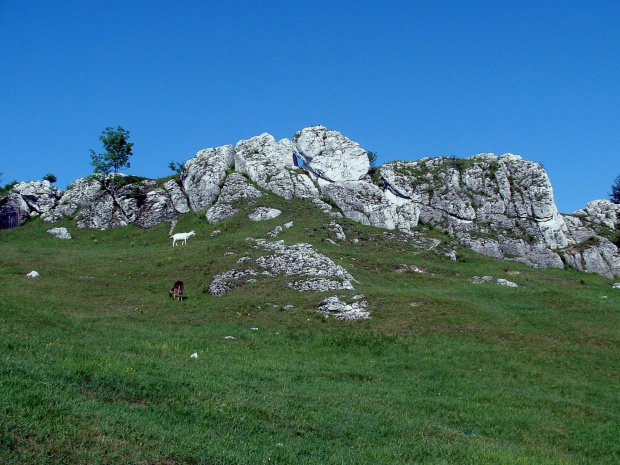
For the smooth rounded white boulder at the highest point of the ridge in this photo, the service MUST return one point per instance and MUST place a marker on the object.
(329, 155)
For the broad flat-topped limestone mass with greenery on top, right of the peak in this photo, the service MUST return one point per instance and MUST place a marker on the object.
(499, 206)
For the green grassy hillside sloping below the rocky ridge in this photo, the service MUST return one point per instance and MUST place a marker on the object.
(95, 360)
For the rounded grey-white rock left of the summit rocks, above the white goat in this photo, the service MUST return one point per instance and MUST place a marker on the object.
(202, 175)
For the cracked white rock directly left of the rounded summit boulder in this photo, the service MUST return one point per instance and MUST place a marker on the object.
(270, 164)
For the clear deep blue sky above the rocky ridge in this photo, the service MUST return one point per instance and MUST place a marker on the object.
(406, 79)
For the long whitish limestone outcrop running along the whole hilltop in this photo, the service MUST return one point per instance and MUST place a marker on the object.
(502, 207)
